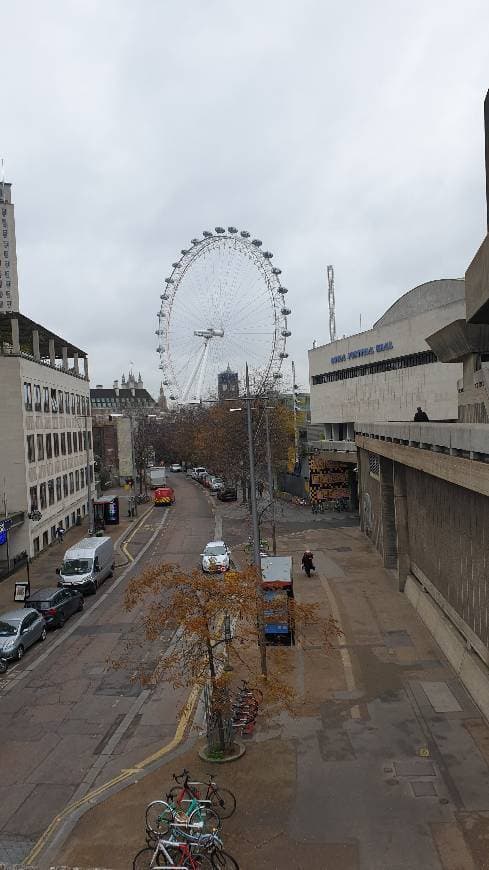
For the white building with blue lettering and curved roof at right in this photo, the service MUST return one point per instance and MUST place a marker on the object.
(383, 374)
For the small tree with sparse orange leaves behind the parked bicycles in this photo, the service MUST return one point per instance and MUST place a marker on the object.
(194, 604)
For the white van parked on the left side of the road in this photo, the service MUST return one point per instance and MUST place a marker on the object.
(87, 564)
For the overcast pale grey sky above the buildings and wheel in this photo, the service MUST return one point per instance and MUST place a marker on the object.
(344, 133)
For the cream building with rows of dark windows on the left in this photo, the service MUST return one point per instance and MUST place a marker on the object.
(46, 436)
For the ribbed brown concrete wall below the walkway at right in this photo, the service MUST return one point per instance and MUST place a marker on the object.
(447, 540)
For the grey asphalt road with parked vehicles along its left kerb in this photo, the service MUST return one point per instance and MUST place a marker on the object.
(63, 704)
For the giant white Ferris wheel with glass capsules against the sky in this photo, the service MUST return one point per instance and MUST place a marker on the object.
(222, 305)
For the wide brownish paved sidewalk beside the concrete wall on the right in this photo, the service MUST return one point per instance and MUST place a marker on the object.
(384, 766)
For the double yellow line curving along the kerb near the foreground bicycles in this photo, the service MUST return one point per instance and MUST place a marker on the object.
(124, 775)
